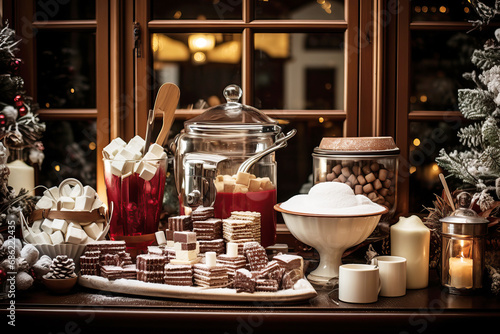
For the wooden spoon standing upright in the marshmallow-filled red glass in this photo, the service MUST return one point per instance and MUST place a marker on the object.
(166, 102)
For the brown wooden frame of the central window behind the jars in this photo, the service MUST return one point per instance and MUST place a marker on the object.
(248, 26)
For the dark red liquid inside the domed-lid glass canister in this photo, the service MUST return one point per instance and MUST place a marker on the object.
(261, 201)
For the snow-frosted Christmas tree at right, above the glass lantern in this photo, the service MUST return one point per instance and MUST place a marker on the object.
(478, 165)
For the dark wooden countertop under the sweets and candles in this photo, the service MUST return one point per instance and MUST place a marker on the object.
(84, 311)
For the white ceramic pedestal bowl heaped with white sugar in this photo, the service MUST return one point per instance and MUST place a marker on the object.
(330, 235)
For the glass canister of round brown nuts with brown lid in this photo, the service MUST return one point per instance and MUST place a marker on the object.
(368, 164)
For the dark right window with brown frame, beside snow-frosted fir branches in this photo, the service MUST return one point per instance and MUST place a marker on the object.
(435, 43)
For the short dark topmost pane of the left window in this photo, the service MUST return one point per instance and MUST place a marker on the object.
(64, 10)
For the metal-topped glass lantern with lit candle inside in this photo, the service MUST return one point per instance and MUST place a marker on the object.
(462, 257)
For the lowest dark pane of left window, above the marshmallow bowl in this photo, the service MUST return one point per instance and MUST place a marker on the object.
(70, 152)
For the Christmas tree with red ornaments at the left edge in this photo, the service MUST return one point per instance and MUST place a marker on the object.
(20, 128)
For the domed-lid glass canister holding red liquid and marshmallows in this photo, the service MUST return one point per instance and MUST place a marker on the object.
(209, 152)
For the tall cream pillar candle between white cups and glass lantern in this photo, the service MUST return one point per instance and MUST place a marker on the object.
(410, 239)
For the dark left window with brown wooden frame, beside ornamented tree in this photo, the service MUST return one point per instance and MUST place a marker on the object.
(66, 74)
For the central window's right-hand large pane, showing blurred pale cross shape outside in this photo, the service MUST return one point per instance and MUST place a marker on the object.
(299, 71)
